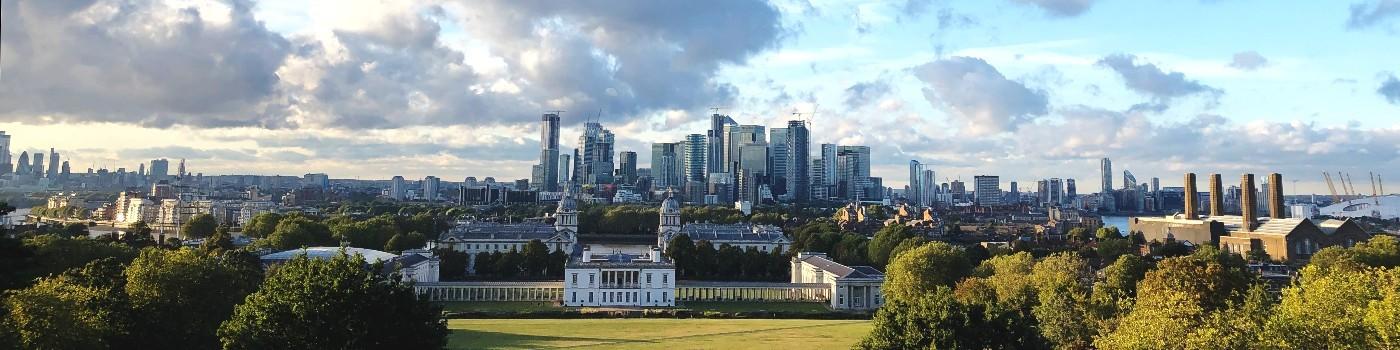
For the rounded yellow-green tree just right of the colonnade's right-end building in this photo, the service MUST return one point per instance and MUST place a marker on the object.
(922, 269)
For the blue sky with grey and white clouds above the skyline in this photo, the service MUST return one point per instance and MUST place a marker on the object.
(1018, 89)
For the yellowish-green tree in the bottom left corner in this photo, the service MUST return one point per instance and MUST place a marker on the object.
(82, 309)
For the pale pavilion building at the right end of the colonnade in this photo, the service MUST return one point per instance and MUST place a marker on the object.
(852, 288)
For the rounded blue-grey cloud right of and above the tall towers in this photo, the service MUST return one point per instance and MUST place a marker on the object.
(978, 97)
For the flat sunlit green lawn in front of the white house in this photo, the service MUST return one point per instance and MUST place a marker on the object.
(656, 334)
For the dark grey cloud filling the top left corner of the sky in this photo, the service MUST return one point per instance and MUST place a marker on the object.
(145, 62)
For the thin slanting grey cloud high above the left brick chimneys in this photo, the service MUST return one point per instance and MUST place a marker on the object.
(1150, 80)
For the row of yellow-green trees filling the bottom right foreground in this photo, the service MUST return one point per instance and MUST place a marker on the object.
(939, 299)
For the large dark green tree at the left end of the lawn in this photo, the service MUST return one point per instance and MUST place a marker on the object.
(334, 303)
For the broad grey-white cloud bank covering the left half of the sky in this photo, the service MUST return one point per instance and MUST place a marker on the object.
(163, 64)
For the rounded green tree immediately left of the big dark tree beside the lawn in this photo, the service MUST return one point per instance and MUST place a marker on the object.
(183, 296)
